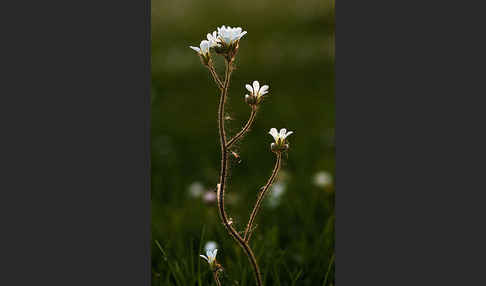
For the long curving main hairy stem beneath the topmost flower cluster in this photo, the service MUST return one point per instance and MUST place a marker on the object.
(222, 179)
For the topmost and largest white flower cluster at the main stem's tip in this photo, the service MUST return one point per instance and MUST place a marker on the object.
(225, 41)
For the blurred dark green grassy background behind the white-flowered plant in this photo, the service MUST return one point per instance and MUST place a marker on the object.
(290, 47)
